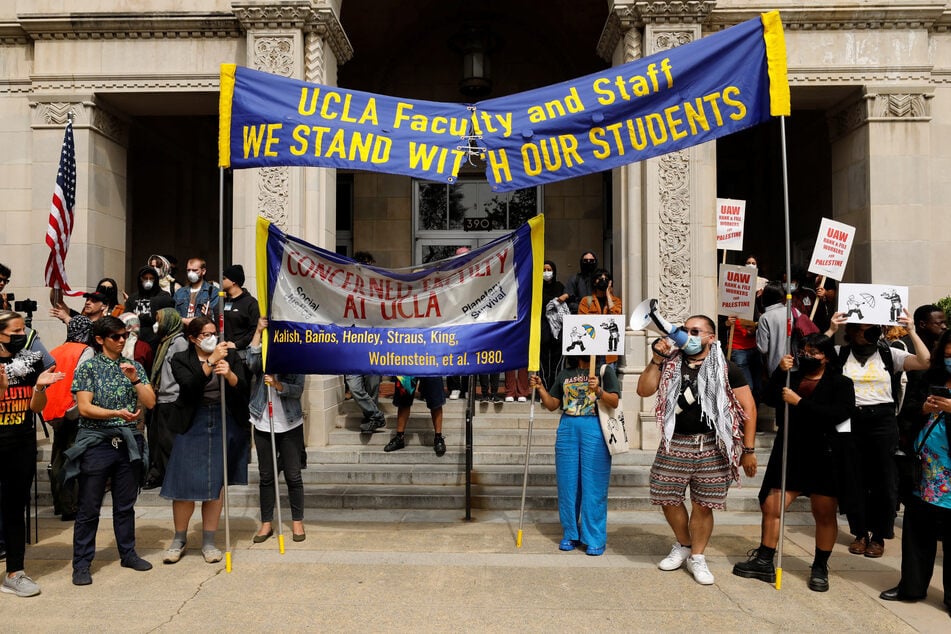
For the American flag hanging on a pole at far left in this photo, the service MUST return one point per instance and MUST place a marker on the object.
(61, 215)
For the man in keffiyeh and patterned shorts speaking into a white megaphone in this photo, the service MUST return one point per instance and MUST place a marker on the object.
(703, 401)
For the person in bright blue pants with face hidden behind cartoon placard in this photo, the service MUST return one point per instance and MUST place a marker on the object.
(582, 461)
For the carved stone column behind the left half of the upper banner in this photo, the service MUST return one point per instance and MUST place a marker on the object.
(302, 39)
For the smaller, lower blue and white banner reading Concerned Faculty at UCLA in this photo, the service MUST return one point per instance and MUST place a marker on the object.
(473, 313)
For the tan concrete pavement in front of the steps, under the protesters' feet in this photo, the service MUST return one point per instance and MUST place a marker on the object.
(426, 571)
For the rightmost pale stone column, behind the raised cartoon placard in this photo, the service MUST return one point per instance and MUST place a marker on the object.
(881, 144)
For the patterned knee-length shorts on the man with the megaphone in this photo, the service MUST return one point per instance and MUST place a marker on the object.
(693, 459)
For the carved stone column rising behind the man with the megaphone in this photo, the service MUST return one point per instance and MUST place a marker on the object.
(664, 206)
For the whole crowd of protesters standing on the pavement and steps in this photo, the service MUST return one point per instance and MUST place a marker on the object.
(860, 417)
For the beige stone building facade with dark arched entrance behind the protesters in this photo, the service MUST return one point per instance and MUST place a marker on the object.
(869, 141)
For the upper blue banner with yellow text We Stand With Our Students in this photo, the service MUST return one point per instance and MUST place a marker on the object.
(670, 101)
